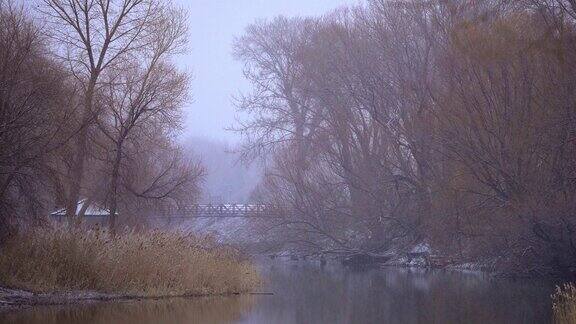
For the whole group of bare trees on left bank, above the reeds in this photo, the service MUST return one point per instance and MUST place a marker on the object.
(90, 102)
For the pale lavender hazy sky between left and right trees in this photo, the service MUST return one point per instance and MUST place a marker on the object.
(217, 76)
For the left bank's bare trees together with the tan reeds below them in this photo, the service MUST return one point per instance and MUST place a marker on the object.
(90, 107)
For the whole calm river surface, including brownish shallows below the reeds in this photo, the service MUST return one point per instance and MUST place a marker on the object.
(305, 292)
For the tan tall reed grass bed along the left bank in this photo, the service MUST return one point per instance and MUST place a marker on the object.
(151, 263)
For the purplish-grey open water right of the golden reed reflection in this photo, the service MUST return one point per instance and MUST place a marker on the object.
(311, 294)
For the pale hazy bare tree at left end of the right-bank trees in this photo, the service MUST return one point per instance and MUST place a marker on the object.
(272, 53)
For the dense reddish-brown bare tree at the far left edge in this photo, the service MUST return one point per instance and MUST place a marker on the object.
(34, 115)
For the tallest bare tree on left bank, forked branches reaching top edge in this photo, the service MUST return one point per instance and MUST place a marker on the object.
(97, 35)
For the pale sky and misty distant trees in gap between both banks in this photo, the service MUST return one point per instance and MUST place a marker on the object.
(218, 78)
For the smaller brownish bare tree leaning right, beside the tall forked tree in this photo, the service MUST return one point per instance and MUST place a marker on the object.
(144, 96)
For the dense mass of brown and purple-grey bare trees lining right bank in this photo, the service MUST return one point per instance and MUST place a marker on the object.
(445, 122)
